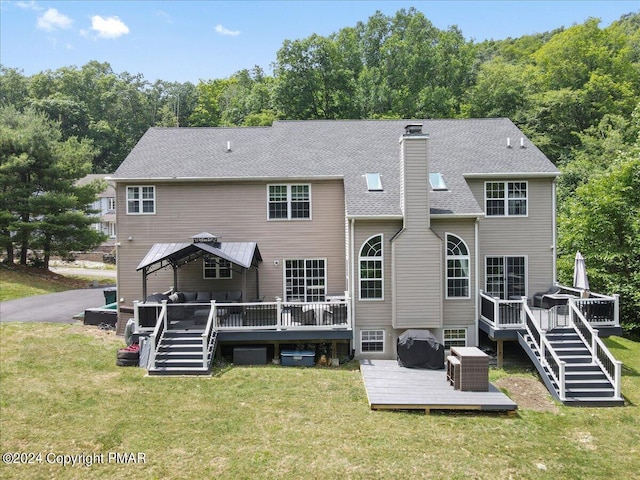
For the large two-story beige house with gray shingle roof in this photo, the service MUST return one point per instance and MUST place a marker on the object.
(407, 224)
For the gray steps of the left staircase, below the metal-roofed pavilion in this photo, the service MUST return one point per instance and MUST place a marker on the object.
(181, 352)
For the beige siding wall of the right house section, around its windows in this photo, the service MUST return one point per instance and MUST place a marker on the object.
(531, 236)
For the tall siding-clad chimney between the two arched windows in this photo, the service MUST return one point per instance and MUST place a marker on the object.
(417, 250)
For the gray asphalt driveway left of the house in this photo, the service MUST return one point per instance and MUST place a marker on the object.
(52, 307)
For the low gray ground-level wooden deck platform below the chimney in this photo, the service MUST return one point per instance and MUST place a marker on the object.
(392, 387)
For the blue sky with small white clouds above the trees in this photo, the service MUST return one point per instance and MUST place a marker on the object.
(203, 40)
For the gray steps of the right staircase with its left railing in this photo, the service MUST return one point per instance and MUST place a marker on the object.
(585, 382)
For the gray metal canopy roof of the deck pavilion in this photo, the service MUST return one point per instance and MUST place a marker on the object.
(162, 255)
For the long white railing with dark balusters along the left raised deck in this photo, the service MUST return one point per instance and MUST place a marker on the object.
(278, 315)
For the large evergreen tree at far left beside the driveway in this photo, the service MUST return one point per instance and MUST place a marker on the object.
(40, 205)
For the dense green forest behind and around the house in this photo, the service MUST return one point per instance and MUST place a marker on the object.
(575, 91)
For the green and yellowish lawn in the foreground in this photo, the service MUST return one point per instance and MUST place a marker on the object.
(61, 392)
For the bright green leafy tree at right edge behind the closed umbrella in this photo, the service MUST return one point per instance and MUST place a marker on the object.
(602, 220)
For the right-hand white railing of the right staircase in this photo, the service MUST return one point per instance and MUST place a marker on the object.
(600, 354)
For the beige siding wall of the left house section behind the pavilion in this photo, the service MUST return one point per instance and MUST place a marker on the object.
(234, 211)
